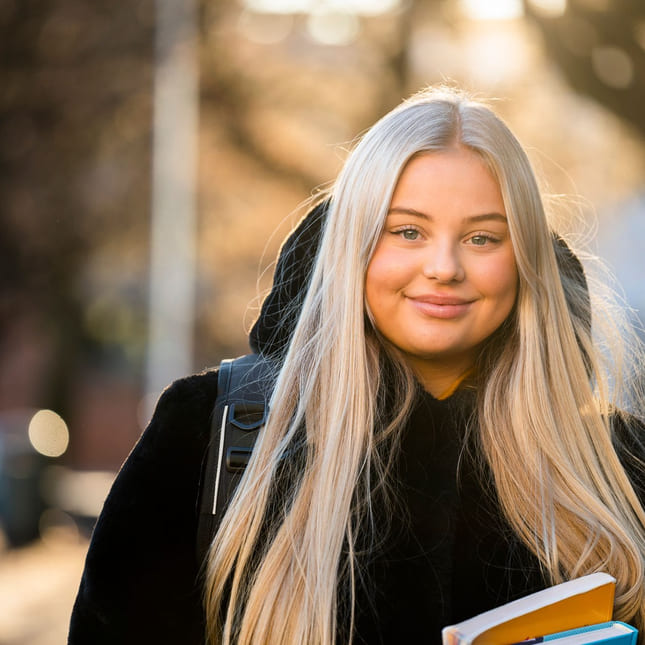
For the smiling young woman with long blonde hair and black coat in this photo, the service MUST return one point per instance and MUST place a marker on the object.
(441, 437)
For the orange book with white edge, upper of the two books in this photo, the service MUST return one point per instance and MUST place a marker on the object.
(581, 602)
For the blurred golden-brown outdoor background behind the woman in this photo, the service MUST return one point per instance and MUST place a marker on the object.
(154, 154)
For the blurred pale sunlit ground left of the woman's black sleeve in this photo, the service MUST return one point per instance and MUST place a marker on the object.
(38, 584)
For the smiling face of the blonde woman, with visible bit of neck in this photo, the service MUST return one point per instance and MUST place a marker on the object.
(443, 276)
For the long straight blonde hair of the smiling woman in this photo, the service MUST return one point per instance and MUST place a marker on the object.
(286, 548)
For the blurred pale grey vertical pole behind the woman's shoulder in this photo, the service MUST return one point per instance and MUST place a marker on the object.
(173, 218)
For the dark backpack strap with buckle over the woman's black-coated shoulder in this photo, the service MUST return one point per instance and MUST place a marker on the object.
(243, 390)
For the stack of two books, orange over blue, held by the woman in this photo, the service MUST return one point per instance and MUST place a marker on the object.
(572, 613)
